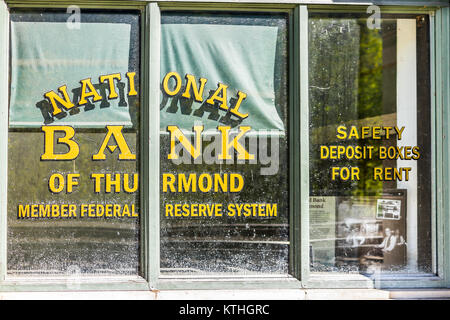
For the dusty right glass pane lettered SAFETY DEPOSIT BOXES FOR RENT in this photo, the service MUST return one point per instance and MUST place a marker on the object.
(370, 144)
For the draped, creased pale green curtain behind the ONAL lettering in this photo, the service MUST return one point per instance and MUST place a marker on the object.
(240, 56)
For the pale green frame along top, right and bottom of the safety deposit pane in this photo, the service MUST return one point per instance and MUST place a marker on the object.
(439, 250)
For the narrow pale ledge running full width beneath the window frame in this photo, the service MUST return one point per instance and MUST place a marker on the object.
(278, 294)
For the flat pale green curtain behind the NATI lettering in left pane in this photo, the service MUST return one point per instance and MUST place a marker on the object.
(47, 55)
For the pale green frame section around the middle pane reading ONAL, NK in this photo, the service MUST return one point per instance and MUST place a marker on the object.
(292, 279)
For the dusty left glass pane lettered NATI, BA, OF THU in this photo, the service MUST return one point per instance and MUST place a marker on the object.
(73, 144)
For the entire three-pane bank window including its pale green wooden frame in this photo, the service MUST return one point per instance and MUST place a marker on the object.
(299, 146)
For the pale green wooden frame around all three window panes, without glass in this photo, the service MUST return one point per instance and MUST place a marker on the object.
(300, 275)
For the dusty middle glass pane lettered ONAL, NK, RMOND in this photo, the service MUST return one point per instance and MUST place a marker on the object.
(224, 148)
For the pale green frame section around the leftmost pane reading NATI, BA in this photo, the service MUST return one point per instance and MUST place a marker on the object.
(53, 283)
